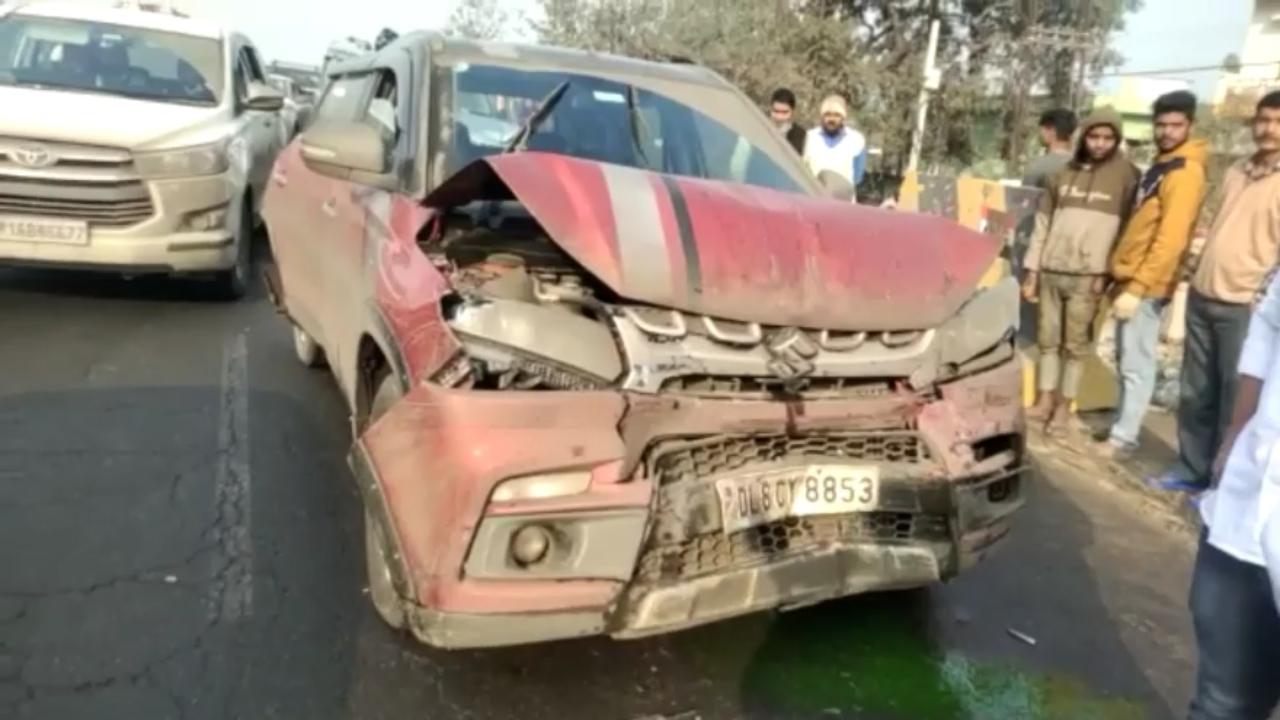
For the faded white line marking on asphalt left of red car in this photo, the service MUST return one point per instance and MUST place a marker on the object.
(232, 590)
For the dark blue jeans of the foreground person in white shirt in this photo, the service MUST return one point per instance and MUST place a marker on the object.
(1238, 637)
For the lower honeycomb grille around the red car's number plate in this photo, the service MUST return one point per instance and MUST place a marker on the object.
(691, 461)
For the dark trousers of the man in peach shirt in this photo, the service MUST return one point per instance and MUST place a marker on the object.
(1215, 338)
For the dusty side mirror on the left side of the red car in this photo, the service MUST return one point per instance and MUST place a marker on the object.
(349, 152)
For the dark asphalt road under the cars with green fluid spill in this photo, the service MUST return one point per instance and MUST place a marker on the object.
(180, 539)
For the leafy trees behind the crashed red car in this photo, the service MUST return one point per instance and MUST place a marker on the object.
(870, 51)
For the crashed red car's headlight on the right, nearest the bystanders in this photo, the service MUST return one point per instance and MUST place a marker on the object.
(991, 317)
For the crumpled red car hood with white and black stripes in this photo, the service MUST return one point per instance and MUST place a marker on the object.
(737, 252)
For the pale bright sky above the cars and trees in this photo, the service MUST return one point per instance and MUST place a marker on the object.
(1167, 35)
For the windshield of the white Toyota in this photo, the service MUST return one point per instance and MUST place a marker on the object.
(130, 62)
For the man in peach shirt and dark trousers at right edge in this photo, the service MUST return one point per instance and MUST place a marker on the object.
(1244, 248)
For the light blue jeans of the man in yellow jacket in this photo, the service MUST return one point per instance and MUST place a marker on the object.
(1137, 341)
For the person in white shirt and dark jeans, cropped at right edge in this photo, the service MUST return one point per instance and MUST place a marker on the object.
(1232, 600)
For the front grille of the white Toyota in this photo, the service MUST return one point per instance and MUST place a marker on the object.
(97, 185)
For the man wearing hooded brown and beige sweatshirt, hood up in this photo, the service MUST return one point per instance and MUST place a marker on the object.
(1077, 225)
